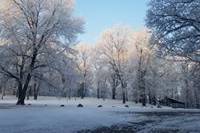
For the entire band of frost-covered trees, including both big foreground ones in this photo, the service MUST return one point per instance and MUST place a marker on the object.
(40, 54)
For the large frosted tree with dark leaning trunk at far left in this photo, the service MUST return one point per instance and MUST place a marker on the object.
(29, 28)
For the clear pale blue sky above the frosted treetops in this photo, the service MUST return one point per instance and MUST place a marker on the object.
(102, 14)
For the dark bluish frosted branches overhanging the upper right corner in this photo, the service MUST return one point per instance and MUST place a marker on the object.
(175, 26)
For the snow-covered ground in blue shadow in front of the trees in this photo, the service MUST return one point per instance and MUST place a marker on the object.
(46, 116)
